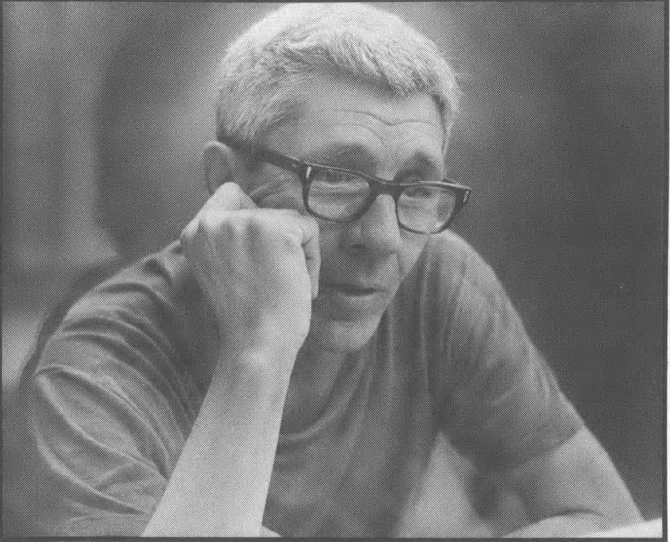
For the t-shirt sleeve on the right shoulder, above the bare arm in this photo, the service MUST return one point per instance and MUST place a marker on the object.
(504, 405)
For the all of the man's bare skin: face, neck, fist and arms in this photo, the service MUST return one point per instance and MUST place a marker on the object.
(289, 318)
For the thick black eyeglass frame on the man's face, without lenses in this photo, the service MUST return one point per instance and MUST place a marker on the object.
(306, 171)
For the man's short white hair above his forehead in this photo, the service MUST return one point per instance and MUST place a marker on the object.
(262, 77)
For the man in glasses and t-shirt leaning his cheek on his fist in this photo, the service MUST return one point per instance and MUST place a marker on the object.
(300, 360)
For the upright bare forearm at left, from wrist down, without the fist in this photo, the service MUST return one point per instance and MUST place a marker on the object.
(220, 483)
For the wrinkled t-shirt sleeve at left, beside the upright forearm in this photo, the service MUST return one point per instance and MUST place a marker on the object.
(103, 433)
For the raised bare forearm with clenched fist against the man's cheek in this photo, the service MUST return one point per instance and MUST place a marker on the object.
(262, 297)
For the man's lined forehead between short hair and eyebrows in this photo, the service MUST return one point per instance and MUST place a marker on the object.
(340, 112)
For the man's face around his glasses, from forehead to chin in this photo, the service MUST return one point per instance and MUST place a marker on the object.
(354, 126)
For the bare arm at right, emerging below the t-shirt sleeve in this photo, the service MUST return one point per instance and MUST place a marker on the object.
(571, 490)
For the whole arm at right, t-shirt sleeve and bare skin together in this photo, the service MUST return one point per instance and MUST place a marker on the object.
(508, 414)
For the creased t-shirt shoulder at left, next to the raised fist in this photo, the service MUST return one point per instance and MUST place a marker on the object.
(142, 316)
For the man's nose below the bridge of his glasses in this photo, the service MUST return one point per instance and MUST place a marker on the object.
(377, 230)
